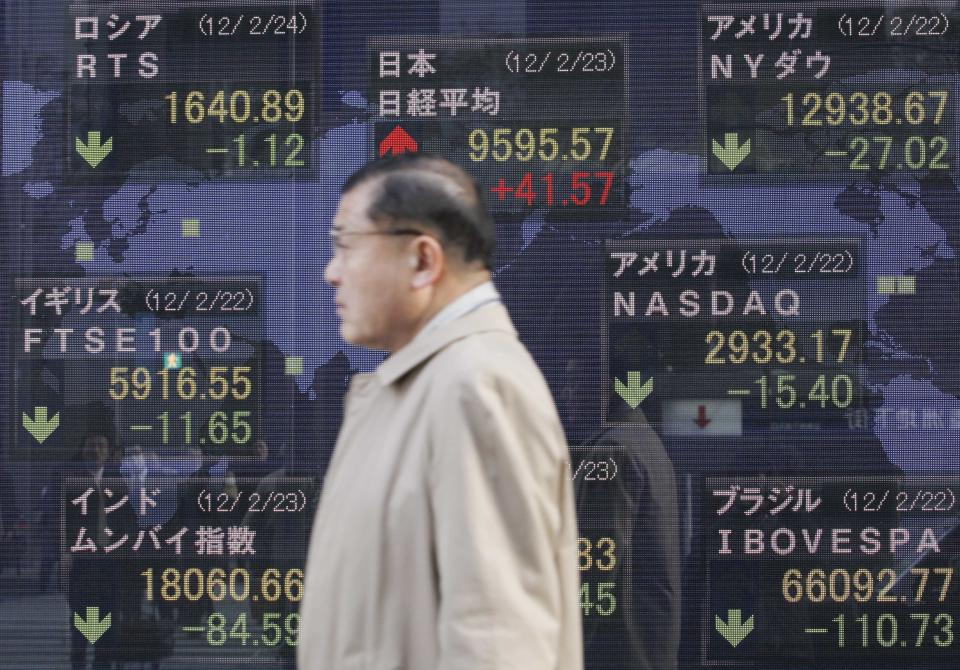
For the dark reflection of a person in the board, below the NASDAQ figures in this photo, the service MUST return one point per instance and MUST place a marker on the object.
(631, 527)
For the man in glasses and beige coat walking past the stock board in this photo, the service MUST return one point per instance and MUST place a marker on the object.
(446, 534)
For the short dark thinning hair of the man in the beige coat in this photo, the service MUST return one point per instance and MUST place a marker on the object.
(431, 191)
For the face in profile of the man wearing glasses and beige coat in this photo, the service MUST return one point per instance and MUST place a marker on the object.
(371, 274)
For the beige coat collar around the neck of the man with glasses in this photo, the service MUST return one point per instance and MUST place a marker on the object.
(491, 317)
